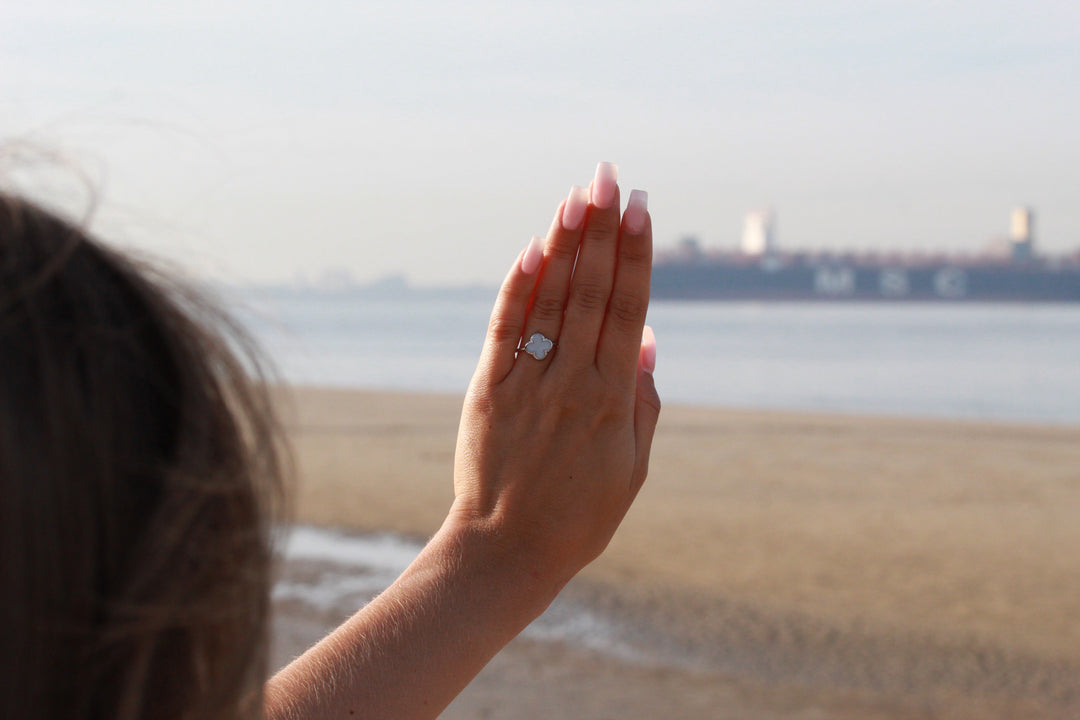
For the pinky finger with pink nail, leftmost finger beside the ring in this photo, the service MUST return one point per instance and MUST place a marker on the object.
(508, 319)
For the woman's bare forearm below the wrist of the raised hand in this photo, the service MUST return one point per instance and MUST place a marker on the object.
(415, 647)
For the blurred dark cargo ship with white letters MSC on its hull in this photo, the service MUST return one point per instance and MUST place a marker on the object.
(1014, 273)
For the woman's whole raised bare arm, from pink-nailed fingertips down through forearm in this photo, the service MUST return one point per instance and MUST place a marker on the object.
(551, 454)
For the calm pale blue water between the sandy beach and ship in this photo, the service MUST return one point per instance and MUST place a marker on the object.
(981, 361)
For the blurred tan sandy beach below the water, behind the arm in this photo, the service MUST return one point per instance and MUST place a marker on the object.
(775, 566)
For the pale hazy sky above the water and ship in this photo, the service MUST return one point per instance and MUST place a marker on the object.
(279, 141)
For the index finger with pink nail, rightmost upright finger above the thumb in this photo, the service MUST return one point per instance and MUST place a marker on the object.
(625, 320)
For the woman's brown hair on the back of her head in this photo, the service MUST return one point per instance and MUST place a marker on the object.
(140, 480)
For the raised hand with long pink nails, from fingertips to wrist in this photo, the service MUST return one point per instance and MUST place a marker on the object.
(551, 453)
